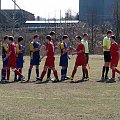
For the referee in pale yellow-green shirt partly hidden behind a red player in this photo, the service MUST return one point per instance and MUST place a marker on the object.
(85, 43)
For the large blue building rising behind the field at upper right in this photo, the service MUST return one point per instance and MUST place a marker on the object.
(96, 11)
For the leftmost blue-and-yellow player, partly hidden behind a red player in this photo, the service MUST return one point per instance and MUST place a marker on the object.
(5, 63)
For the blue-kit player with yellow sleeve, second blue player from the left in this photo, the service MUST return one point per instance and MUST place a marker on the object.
(20, 60)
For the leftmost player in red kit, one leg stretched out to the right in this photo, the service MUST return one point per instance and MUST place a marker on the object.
(12, 57)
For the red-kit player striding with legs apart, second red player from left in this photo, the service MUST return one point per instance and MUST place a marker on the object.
(49, 63)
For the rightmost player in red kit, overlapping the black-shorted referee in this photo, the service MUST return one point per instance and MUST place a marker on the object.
(114, 52)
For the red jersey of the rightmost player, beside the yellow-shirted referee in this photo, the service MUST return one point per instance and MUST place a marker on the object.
(114, 50)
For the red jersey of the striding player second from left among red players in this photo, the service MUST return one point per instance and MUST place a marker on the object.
(50, 50)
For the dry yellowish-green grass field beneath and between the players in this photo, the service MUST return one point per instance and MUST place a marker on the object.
(61, 101)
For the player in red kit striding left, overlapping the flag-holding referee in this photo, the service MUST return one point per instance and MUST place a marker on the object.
(80, 59)
